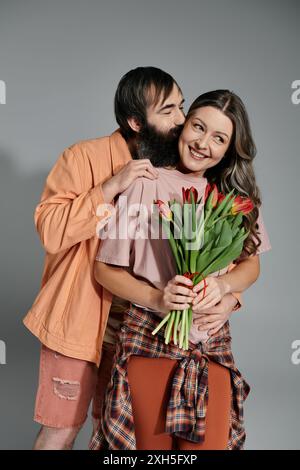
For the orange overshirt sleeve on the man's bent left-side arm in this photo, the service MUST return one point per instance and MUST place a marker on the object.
(67, 215)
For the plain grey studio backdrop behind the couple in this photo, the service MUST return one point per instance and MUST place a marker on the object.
(60, 63)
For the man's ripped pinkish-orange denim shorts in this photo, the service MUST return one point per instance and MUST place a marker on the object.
(67, 386)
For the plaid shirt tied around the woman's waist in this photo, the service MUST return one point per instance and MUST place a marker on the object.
(188, 399)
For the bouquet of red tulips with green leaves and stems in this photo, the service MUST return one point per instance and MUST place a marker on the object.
(204, 238)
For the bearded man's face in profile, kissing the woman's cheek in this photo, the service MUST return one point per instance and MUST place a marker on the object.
(158, 137)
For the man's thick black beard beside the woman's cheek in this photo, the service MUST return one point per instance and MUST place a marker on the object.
(160, 148)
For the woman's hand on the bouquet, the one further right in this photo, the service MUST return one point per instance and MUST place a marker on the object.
(207, 297)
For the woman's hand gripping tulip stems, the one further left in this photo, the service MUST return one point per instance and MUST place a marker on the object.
(177, 294)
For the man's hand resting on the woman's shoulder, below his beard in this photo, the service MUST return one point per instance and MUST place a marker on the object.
(132, 170)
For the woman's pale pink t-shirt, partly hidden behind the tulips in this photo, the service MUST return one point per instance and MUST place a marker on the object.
(150, 259)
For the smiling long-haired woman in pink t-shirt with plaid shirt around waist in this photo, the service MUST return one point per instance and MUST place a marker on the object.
(161, 397)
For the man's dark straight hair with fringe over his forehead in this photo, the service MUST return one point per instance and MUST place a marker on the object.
(134, 95)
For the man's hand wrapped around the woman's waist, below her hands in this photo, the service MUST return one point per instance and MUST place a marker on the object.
(214, 317)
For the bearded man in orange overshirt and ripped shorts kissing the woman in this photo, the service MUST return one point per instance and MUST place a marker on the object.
(70, 313)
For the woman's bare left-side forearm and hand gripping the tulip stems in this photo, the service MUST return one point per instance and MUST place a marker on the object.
(121, 283)
